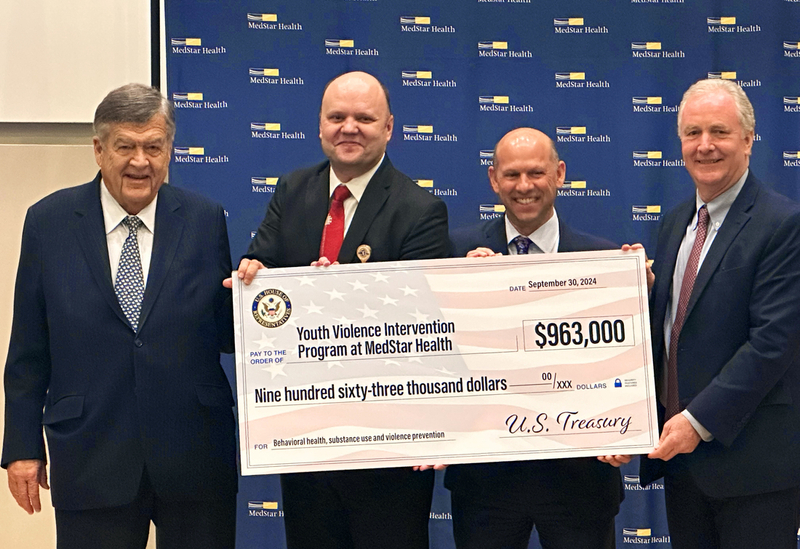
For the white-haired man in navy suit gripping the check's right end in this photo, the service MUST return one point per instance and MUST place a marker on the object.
(726, 337)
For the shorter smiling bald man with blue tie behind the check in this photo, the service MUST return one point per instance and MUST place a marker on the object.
(572, 502)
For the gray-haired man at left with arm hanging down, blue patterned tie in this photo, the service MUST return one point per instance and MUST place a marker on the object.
(119, 319)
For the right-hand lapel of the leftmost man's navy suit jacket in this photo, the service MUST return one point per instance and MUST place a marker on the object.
(167, 235)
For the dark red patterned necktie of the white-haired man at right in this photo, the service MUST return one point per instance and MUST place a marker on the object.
(689, 276)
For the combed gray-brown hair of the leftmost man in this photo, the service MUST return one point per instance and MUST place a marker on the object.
(133, 104)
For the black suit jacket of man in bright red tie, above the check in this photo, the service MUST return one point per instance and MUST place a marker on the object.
(395, 217)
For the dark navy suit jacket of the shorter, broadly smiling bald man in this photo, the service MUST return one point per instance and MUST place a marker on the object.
(590, 488)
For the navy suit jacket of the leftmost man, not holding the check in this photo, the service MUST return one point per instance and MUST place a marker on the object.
(113, 401)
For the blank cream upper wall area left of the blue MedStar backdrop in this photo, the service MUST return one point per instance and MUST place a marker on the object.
(55, 62)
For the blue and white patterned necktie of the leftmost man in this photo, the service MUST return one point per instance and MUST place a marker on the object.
(129, 285)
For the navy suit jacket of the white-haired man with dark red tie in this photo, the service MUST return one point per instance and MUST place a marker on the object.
(739, 348)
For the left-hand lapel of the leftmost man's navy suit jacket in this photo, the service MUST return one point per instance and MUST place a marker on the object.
(89, 227)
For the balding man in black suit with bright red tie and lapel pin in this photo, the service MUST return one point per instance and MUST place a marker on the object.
(383, 216)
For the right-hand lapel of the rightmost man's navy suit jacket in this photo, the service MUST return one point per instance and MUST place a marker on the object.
(737, 218)
